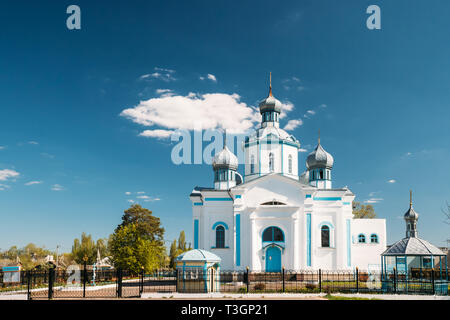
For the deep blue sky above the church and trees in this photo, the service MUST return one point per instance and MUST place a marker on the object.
(384, 97)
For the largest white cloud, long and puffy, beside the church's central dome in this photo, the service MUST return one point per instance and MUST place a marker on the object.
(193, 112)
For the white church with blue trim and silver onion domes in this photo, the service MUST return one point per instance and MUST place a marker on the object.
(272, 217)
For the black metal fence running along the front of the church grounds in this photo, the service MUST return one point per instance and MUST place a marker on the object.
(117, 283)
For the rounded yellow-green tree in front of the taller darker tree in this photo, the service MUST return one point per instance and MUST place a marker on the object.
(132, 251)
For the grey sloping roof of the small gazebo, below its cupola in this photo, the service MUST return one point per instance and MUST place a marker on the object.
(412, 246)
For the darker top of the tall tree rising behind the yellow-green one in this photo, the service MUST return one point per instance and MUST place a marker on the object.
(147, 225)
